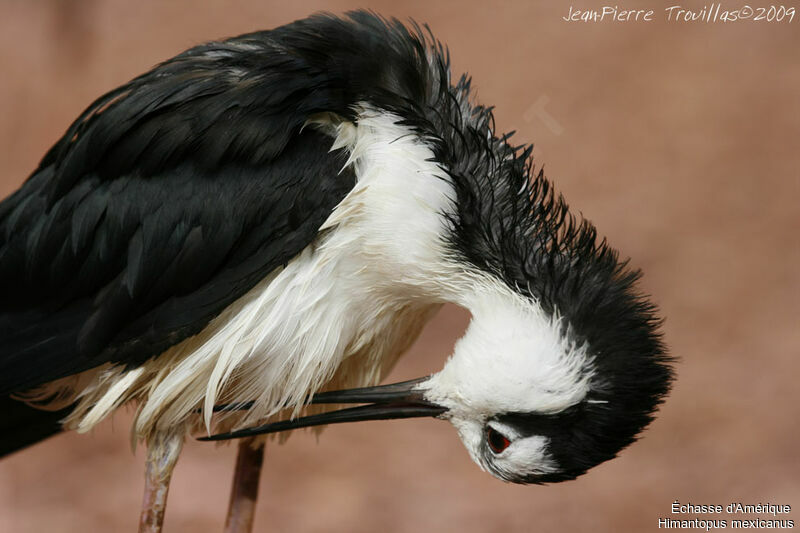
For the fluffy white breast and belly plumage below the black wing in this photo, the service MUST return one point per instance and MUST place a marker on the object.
(339, 314)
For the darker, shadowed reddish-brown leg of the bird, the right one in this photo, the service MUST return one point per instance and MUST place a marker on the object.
(244, 492)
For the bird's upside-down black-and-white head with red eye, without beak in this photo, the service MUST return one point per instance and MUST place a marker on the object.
(534, 400)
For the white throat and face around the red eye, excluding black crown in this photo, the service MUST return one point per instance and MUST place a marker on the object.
(513, 358)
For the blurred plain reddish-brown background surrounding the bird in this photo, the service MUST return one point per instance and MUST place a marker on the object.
(678, 140)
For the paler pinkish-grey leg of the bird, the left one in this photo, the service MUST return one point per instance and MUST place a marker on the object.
(162, 454)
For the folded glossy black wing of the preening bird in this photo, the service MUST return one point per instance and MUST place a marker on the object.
(164, 202)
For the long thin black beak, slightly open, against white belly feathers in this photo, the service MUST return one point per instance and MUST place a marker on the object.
(385, 402)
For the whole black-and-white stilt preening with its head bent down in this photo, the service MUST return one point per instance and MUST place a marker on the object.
(263, 224)
